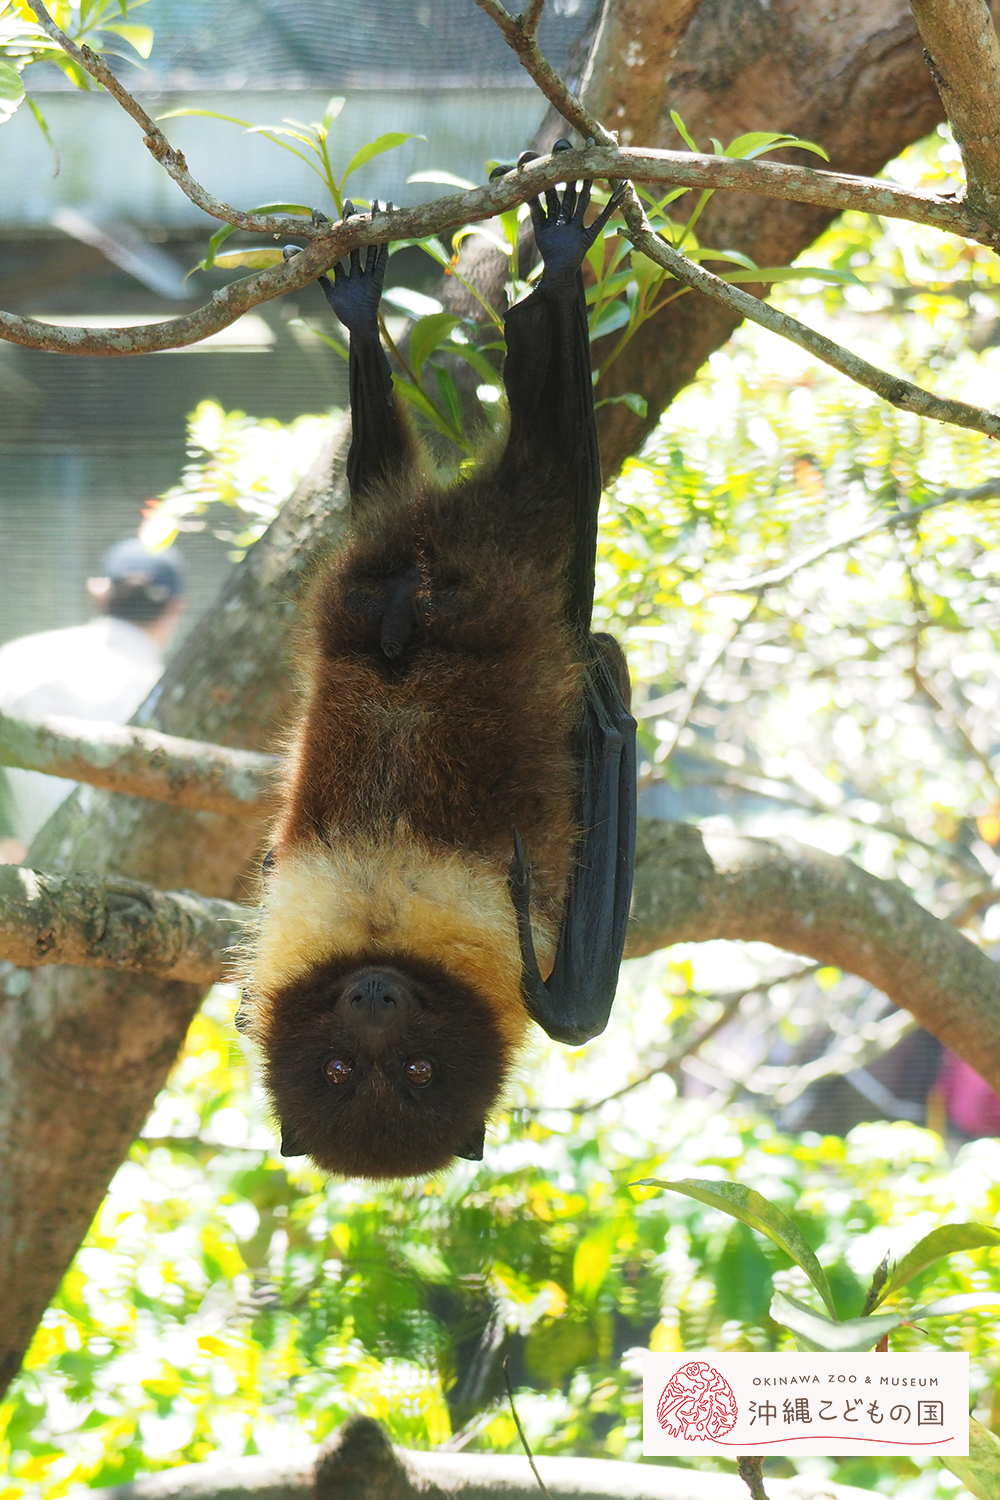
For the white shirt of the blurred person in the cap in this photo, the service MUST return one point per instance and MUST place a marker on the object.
(104, 671)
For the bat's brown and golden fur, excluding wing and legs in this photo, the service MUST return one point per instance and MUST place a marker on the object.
(404, 784)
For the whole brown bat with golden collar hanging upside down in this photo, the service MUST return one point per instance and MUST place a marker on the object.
(455, 853)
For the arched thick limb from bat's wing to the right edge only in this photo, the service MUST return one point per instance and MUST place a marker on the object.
(693, 887)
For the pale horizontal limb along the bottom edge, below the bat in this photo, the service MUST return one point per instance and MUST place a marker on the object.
(359, 1463)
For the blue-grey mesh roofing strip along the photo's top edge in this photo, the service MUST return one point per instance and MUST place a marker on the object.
(335, 44)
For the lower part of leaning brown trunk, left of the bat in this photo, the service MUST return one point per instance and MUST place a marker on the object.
(83, 1052)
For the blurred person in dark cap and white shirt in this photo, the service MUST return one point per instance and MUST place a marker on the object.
(100, 671)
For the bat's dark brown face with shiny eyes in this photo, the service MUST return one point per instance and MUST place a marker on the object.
(382, 1070)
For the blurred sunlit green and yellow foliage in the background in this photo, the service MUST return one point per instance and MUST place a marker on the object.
(232, 1303)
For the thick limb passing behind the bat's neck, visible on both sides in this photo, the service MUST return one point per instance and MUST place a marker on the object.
(690, 887)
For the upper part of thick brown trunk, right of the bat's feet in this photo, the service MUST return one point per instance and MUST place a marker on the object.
(848, 74)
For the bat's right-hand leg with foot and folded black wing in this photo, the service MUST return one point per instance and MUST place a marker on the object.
(551, 397)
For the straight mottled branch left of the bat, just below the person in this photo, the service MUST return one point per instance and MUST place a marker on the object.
(140, 763)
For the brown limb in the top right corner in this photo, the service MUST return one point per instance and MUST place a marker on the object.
(963, 53)
